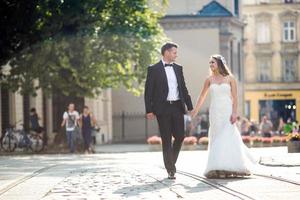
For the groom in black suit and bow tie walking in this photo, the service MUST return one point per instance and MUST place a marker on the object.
(165, 98)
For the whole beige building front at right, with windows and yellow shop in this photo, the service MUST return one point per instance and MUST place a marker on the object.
(272, 61)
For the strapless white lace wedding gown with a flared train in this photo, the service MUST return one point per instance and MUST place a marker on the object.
(226, 150)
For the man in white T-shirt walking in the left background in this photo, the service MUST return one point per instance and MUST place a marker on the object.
(70, 119)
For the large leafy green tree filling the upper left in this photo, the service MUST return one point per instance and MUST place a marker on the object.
(78, 46)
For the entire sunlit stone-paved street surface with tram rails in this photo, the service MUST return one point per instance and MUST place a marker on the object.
(141, 176)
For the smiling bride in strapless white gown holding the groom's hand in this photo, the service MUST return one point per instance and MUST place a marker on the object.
(227, 154)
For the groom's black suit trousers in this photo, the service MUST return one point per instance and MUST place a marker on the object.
(171, 123)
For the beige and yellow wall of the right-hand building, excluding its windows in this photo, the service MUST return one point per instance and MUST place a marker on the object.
(273, 14)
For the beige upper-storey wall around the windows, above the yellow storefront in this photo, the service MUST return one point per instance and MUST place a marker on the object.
(274, 15)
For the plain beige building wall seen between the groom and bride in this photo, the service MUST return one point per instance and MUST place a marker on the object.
(195, 48)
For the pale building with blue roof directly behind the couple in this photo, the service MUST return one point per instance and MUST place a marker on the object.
(200, 28)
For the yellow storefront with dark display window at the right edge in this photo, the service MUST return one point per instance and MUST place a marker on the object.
(274, 104)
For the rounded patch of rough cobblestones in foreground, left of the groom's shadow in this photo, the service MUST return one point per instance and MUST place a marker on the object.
(110, 183)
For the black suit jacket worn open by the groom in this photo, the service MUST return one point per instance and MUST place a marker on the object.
(156, 89)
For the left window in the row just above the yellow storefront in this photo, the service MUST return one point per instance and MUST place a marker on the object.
(264, 69)
